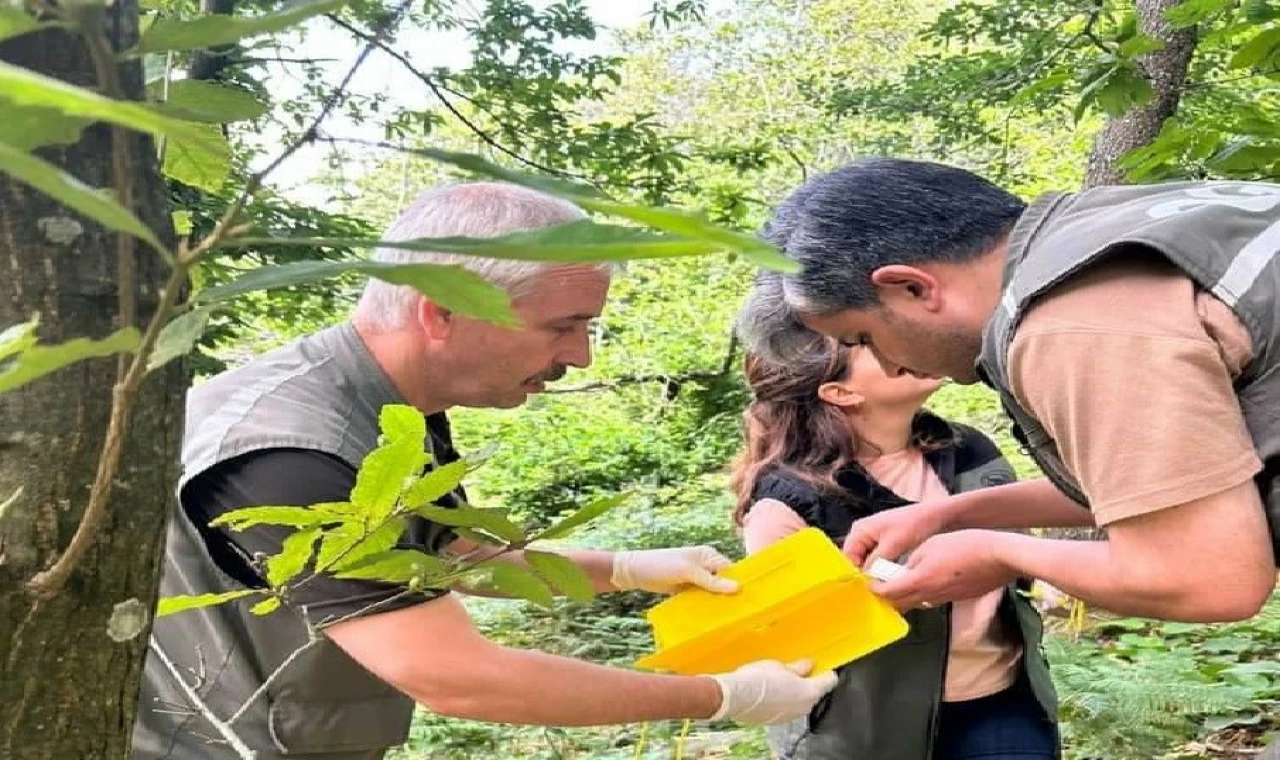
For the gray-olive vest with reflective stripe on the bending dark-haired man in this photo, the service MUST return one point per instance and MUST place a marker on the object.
(1223, 235)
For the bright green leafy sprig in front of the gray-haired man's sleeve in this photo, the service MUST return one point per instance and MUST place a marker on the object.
(358, 539)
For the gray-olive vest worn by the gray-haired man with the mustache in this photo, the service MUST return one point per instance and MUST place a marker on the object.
(323, 392)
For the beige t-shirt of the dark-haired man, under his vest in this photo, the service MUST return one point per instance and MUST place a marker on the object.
(1130, 369)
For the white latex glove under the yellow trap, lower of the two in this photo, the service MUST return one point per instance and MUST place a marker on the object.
(771, 693)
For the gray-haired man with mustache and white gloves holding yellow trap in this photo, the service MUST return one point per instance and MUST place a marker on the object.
(335, 675)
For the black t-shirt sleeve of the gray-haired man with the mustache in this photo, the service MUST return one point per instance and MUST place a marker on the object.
(294, 478)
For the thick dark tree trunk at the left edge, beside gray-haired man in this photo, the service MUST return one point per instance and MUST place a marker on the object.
(67, 689)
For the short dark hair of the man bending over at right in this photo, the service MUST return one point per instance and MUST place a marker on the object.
(845, 225)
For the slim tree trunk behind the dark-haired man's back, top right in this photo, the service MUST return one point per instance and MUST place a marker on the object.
(1167, 72)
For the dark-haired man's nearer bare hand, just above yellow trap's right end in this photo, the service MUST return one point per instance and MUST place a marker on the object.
(961, 565)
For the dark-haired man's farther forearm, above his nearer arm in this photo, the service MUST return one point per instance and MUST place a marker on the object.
(1027, 505)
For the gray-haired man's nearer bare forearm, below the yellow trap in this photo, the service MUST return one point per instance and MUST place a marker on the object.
(528, 688)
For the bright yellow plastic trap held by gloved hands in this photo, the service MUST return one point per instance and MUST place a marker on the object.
(798, 599)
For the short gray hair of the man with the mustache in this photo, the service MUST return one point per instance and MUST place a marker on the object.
(474, 210)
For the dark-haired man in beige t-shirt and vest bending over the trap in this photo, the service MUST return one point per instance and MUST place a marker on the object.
(1133, 337)
